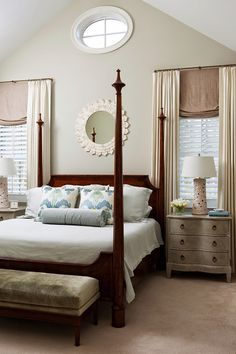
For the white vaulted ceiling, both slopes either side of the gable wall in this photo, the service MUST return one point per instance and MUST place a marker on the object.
(21, 19)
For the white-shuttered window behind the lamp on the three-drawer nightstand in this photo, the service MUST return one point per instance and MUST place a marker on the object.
(198, 135)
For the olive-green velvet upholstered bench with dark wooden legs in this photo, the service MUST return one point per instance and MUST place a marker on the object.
(48, 297)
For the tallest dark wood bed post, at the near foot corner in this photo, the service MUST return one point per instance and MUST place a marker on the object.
(118, 308)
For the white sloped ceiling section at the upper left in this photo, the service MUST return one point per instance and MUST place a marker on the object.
(21, 19)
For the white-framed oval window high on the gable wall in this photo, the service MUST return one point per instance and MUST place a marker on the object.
(102, 29)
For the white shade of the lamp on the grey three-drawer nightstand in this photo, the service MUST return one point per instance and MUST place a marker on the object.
(199, 166)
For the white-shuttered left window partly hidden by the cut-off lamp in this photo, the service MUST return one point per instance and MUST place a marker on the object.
(13, 143)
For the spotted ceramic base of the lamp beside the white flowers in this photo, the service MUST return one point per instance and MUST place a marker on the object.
(199, 201)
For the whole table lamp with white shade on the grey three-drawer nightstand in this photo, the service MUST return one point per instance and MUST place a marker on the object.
(200, 168)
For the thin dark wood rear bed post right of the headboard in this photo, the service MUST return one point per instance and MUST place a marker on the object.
(162, 117)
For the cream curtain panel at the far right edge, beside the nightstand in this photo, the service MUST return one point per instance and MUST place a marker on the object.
(227, 147)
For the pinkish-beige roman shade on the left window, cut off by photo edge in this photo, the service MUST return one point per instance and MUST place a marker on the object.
(13, 103)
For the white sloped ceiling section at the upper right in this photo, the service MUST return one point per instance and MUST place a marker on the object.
(214, 18)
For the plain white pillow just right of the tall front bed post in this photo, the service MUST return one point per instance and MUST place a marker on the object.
(135, 201)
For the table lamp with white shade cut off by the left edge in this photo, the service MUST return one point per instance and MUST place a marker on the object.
(7, 168)
